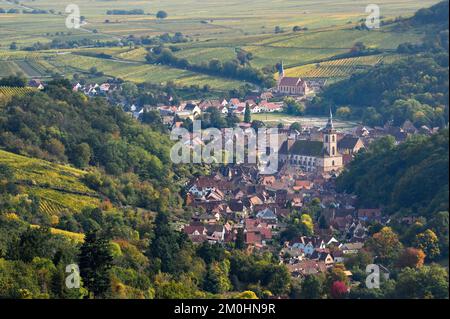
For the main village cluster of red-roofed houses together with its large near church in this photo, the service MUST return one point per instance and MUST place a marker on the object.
(236, 204)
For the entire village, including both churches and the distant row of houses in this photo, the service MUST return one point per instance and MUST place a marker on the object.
(296, 213)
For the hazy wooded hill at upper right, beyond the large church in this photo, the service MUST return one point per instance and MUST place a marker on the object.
(413, 88)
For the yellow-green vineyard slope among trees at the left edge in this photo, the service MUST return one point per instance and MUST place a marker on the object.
(58, 186)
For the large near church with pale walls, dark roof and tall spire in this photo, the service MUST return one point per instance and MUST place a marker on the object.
(314, 156)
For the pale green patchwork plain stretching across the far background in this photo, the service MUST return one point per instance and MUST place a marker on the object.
(214, 28)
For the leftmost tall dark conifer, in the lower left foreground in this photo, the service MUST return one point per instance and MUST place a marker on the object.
(95, 262)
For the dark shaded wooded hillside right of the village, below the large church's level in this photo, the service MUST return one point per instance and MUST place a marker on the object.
(411, 178)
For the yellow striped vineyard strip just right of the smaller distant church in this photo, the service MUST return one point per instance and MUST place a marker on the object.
(338, 68)
